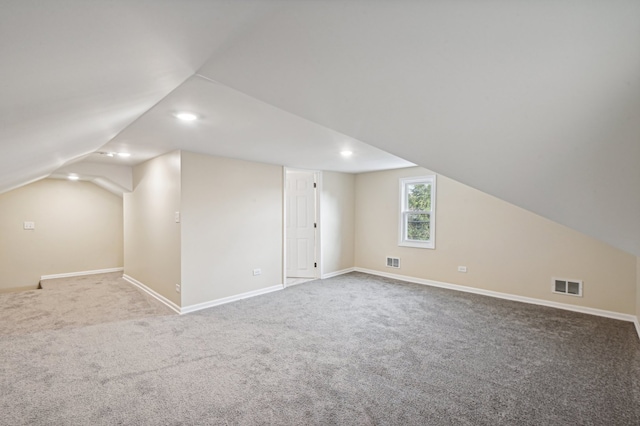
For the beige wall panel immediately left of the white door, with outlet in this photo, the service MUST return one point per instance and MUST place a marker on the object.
(231, 224)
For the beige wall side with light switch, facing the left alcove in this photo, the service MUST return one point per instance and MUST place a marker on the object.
(152, 236)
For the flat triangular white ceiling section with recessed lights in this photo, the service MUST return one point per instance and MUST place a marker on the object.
(232, 124)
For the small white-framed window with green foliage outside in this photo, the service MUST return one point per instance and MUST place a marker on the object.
(417, 212)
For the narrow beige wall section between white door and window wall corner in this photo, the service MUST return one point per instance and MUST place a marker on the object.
(337, 221)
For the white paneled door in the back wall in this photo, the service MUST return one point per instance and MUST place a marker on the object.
(301, 225)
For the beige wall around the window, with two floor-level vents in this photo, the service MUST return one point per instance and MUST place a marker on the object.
(505, 248)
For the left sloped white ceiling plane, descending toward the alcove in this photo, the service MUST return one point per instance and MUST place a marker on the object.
(76, 73)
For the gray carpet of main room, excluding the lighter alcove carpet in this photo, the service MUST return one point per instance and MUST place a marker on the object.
(351, 350)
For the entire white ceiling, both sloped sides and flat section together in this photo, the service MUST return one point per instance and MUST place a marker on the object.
(537, 103)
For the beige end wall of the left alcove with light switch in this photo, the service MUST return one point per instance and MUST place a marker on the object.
(78, 227)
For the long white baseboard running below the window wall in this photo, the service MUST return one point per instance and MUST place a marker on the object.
(530, 300)
